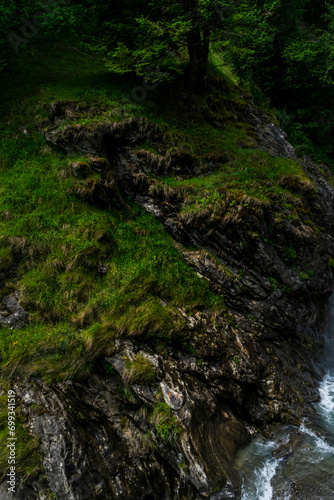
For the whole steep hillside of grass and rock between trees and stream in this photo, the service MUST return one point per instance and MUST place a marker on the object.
(165, 274)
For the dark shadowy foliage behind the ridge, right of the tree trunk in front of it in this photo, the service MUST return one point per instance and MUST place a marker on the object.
(285, 48)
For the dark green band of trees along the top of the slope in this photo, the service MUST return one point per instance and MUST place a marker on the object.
(283, 49)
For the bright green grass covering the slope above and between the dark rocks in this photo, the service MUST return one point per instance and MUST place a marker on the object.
(55, 241)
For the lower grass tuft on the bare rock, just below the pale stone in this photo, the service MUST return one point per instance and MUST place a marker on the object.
(166, 424)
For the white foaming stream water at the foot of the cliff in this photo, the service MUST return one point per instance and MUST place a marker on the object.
(306, 474)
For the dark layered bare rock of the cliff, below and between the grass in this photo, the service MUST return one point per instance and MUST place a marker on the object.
(174, 433)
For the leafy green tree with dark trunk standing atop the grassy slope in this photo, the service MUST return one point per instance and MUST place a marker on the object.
(156, 35)
